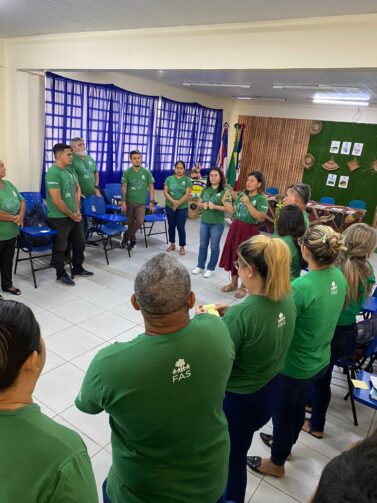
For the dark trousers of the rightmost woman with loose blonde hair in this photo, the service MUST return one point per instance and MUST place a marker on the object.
(343, 344)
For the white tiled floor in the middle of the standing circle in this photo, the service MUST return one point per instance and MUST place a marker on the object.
(76, 322)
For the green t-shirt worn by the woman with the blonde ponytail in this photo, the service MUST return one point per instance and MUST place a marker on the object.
(261, 331)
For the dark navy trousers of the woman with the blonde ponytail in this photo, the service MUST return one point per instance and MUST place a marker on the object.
(245, 415)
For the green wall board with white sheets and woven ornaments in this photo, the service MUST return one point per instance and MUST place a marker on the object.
(348, 152)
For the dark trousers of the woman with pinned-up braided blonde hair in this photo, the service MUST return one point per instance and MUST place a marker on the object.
(290, 415)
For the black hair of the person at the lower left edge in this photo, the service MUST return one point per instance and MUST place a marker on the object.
(20, 336)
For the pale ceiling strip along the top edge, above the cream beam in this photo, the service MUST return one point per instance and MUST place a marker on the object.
(33, 17)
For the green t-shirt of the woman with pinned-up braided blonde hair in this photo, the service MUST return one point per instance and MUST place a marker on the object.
(319, 296)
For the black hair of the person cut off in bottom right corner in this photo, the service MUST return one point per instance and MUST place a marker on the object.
(351, 476)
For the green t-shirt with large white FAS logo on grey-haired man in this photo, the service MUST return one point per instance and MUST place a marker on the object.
(164, 395)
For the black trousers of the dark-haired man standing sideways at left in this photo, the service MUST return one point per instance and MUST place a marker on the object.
(67, 232)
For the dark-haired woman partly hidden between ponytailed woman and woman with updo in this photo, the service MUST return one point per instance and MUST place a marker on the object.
(290, 228)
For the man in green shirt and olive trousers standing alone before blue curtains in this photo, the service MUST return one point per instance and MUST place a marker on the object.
(136, 182)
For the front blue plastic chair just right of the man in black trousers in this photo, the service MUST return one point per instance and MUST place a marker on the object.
(105, 225)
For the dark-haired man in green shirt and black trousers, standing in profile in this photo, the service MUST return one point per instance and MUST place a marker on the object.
(64, 215)
